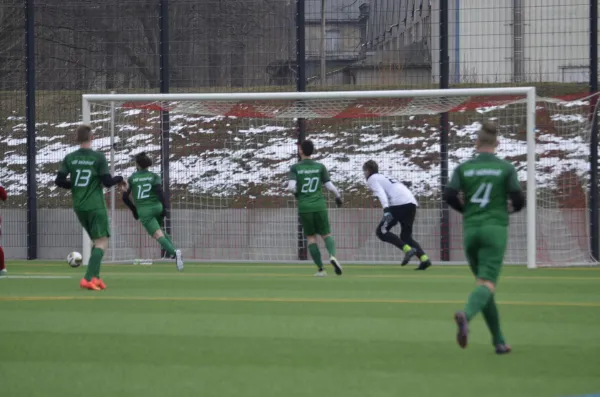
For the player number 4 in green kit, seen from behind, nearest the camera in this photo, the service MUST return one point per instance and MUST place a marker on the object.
(490, 191)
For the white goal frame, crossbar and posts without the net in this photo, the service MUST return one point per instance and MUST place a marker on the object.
(529, 93)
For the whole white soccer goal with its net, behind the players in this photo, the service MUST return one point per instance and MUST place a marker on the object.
(229, 154)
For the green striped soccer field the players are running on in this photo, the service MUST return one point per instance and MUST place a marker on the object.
(273, 330)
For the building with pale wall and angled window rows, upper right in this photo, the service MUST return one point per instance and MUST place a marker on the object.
(490, 41)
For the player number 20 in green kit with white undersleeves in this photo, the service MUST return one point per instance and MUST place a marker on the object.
(306, 179)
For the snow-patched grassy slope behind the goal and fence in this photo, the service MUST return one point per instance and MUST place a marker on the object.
(223, 156)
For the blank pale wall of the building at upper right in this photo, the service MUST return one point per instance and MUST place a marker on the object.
(555, 37)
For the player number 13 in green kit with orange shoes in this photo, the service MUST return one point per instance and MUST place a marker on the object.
(89, 173)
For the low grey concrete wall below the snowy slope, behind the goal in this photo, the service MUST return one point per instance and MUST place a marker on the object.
(270, 234)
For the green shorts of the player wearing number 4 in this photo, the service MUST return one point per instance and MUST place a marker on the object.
(485, 247)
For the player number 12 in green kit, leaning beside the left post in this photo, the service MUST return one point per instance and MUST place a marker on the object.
(150, 207)
